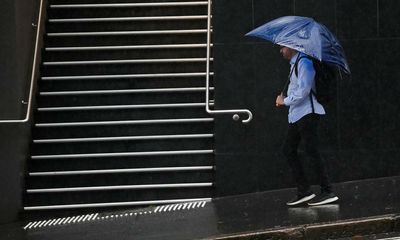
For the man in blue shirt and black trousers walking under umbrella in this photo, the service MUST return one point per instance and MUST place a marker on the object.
(304, 113)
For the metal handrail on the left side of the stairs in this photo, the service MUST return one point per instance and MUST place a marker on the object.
(33, 75)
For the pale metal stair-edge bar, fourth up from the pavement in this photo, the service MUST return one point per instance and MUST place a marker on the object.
(123, 154)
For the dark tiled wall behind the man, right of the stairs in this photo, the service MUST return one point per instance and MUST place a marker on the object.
(359, 136)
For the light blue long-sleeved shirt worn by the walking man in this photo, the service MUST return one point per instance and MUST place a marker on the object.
(299, 90)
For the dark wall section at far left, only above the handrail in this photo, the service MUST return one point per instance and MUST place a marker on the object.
(16, 41)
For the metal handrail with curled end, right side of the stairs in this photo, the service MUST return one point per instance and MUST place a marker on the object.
(234, 111)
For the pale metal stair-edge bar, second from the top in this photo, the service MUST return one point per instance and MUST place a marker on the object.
(125, 19)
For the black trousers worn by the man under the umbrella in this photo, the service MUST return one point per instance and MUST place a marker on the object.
(305, 129)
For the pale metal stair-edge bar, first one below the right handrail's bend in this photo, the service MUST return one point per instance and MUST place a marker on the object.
(129, 122)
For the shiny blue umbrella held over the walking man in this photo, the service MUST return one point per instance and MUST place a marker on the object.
(304, 35)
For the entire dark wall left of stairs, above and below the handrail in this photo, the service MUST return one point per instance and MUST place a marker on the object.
(16, 54)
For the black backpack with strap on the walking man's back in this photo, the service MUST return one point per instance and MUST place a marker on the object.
(325, 77)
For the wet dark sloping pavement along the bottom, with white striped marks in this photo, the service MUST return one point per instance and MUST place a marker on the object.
(365, 207)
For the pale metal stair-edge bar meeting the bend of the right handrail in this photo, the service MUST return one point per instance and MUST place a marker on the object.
(119, 107)
